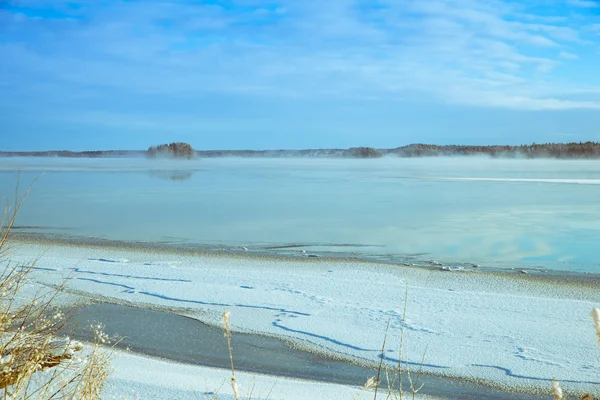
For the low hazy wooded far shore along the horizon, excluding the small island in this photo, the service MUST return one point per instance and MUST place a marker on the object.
(573, 150)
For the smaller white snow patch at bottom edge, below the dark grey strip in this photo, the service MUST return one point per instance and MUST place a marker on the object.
(138, 377)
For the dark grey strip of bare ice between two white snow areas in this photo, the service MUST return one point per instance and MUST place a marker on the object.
(252, 353)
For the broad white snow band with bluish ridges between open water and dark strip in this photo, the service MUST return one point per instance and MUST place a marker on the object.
(511, 330)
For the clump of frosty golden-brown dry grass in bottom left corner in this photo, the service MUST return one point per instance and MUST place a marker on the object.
(35, 362)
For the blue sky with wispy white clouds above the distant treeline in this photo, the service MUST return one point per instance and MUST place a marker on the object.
(297, 73)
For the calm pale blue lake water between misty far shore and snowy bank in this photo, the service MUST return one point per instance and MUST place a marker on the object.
(500, 213)
